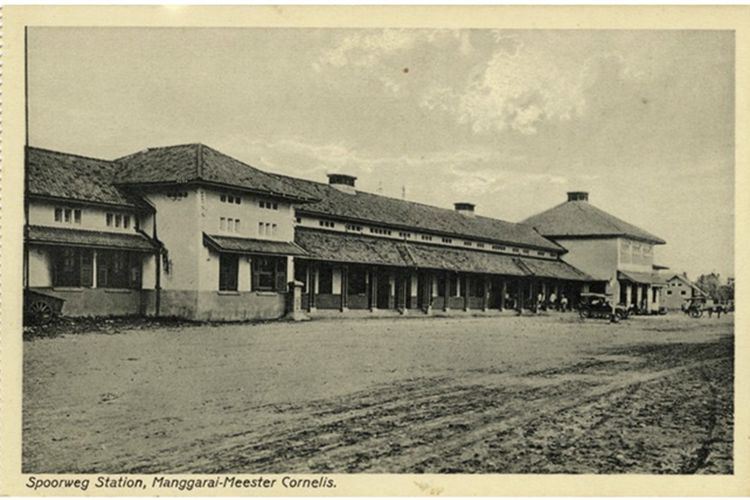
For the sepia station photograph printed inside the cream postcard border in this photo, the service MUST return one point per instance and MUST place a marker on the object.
(323, 251)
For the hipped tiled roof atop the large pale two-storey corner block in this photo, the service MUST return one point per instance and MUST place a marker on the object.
(200, 163)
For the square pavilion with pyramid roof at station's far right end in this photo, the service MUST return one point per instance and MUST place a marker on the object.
(616, 254)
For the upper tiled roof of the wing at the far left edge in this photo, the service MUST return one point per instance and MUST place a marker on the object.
(62, 175)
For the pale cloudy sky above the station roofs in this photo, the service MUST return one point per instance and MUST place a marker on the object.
(509, 120)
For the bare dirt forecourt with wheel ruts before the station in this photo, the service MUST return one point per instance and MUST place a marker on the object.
(549, 394)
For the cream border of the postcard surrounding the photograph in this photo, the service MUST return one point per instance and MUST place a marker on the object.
(601, 17)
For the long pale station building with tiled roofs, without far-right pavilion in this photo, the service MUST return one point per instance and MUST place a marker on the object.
(187, 231)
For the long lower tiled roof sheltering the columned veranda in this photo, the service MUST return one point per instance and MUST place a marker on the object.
(357, 249)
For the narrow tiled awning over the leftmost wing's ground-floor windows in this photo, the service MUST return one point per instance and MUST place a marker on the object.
(59, 236)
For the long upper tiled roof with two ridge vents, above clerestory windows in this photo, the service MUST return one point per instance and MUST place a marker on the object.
(382, 210)
